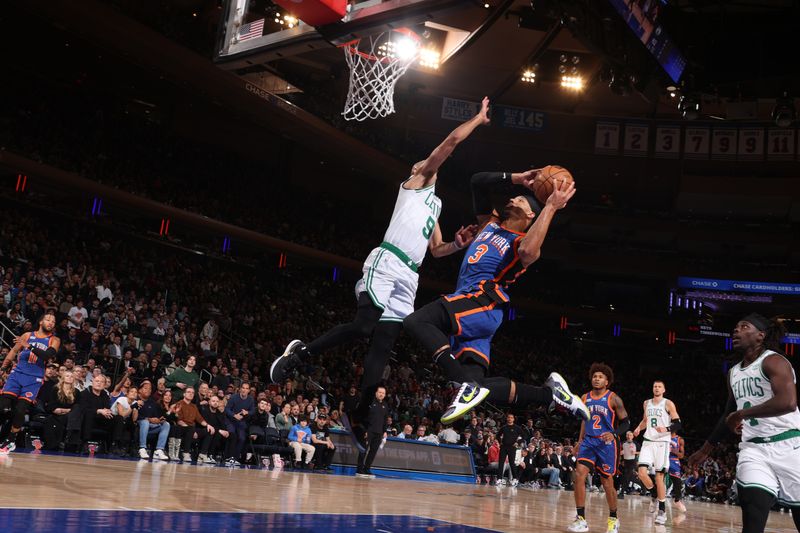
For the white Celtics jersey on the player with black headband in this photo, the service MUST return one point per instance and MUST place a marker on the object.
(751, 387)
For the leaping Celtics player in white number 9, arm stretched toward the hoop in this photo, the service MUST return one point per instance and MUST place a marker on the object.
(386, 292)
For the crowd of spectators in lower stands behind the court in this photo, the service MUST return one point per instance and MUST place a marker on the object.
(174, 349)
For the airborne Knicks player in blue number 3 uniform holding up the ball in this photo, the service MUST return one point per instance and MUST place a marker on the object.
(457, 329)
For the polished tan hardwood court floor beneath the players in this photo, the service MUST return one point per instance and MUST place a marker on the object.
(79, 483)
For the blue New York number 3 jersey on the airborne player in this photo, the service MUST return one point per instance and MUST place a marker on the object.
(491, 263)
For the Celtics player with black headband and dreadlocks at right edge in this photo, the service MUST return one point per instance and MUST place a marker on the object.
(762, 407)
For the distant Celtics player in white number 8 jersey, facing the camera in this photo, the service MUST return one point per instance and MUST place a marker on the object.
(660, 418)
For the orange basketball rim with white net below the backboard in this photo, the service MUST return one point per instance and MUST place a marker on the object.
(376, 63)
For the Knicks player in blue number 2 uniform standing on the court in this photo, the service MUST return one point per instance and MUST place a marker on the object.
(598, 447)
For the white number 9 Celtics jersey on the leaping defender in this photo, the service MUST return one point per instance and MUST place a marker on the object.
(413, 221)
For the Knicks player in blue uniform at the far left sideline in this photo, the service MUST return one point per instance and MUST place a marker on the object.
(23, 384)
